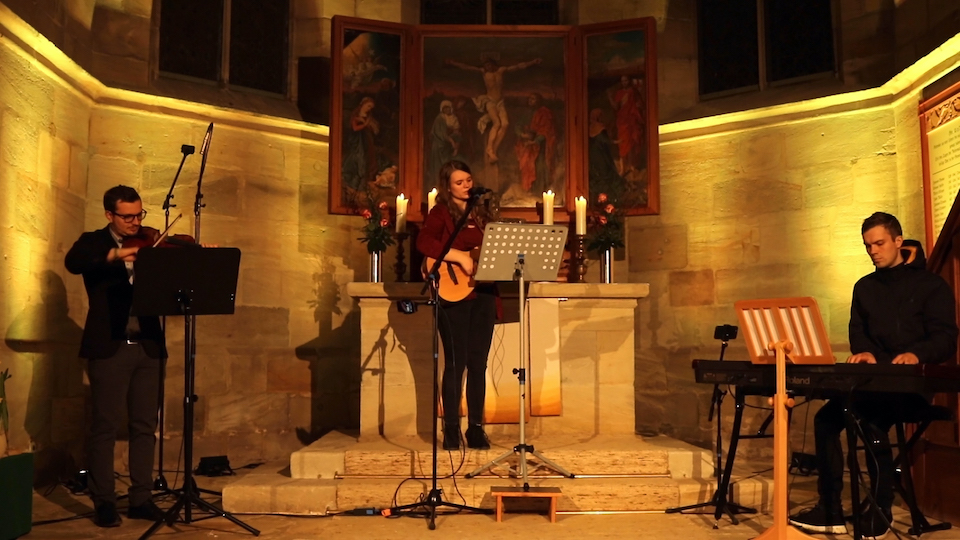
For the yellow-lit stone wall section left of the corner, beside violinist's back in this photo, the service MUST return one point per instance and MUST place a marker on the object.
(44, 152)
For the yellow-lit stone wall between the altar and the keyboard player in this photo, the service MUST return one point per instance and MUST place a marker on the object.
(768, 208)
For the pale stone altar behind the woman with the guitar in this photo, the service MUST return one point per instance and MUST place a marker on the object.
(595, 325)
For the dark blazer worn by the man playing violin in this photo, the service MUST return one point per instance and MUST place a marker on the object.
(110, 295)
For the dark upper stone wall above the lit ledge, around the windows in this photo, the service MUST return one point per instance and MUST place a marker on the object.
(875, 39)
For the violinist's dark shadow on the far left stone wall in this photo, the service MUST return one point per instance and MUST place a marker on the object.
(46, 341)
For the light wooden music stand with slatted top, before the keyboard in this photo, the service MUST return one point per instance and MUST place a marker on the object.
(771, 328)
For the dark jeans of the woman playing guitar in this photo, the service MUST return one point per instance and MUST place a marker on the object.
(466, 329)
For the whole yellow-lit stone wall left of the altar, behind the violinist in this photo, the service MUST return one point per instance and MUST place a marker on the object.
(270, 378)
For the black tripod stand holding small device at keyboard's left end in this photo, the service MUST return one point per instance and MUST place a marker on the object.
(720, 497)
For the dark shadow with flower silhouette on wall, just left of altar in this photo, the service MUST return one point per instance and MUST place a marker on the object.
(335, 379)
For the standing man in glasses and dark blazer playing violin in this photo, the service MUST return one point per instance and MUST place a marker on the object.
(124, 356)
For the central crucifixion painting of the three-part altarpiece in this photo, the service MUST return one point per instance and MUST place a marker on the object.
(508, 124)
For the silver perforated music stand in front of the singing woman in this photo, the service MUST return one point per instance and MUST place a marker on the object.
(516, 252)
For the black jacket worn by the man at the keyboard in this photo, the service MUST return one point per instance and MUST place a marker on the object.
(904, 309)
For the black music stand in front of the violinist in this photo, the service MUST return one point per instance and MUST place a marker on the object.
(188, 282)
